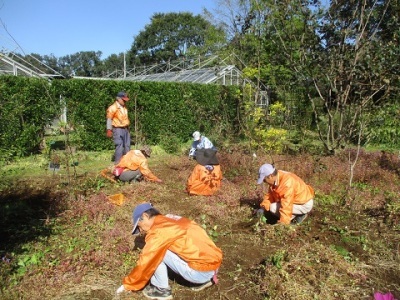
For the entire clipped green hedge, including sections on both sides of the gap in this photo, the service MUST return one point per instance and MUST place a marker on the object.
(159, 112)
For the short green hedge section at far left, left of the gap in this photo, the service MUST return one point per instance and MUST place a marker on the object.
(27, 105)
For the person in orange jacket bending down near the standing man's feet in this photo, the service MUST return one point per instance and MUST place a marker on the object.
(134, 166)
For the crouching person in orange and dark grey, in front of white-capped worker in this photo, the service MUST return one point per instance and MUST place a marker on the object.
(206, 176)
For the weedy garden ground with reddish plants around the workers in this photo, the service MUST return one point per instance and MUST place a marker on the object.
(61, 232)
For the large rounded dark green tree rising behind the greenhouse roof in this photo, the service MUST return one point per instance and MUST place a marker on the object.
(168, 37)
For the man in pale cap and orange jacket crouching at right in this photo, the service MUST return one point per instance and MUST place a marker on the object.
(288, 196)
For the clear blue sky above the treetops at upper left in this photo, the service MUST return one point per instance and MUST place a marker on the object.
(64, 27)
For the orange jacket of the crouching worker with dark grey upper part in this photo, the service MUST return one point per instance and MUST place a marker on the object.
(204, 182)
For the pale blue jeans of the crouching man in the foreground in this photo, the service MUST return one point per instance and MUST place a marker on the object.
(179, 266)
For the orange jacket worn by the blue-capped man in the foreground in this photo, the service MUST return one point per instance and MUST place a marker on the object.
(183, 237)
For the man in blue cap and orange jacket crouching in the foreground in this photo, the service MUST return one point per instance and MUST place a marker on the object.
(172, 242)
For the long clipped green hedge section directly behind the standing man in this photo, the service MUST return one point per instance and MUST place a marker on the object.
(160, 109)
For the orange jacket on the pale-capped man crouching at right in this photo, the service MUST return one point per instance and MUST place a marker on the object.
(288, 189)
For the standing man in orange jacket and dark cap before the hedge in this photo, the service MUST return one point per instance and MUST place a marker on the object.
(118, 126)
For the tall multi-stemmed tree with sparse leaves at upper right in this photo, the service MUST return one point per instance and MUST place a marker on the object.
(337, 56)
